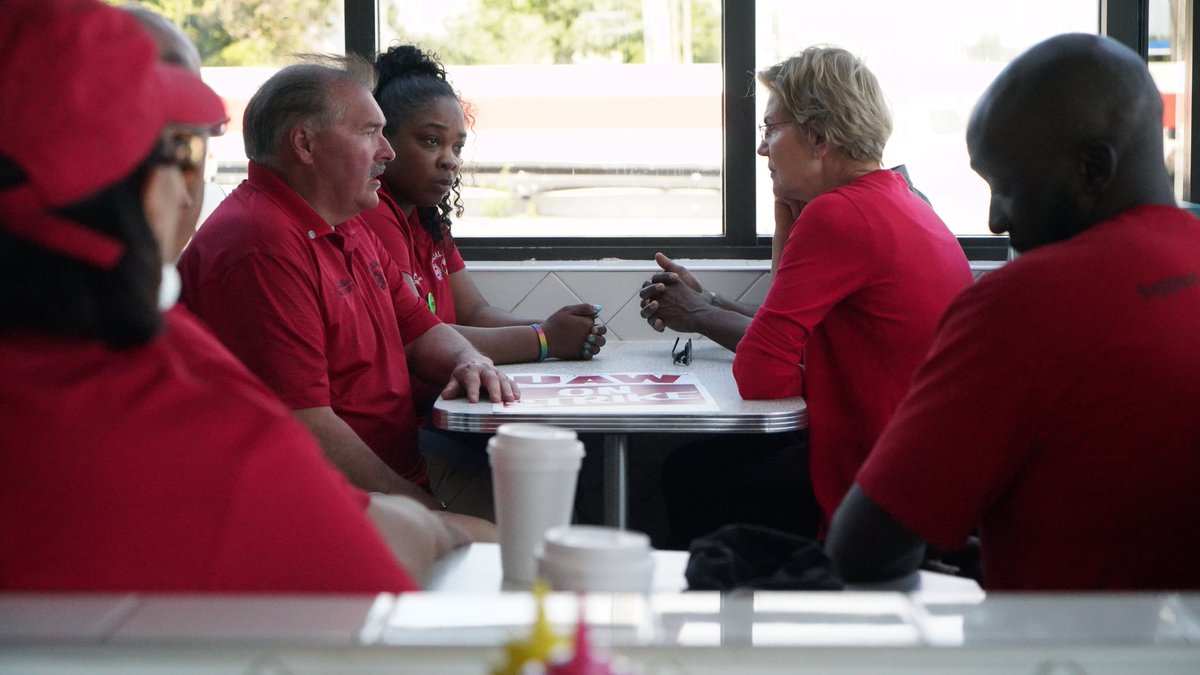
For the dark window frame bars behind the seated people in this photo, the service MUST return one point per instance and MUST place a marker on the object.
(1126, 21)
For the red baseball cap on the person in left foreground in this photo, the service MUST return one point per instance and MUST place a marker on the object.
(85, 100)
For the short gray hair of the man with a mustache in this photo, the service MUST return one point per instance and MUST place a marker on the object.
(302, 94)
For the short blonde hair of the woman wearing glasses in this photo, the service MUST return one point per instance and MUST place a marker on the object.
(831, 92)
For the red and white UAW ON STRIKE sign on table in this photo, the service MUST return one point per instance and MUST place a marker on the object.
(610, 393)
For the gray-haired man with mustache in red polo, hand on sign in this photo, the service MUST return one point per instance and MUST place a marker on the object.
(296, 285)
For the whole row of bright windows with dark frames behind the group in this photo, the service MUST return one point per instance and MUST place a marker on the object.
(617, 128)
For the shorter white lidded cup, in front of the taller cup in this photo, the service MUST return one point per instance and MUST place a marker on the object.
(585, 558)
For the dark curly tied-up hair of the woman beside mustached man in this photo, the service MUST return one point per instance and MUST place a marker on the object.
(409, 80)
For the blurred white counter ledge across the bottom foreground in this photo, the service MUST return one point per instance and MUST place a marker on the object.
(700, 634)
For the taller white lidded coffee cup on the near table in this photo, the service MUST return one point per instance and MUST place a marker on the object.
(535, 471)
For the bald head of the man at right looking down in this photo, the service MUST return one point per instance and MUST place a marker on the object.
(1067, 136)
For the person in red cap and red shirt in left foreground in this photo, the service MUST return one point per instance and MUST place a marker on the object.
(140, 455)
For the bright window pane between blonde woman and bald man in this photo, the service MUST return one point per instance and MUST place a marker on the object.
(934, 59)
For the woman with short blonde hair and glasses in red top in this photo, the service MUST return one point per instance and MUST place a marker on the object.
(862, 271)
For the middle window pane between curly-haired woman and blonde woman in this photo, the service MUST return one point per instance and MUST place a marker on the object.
(592, 118)
